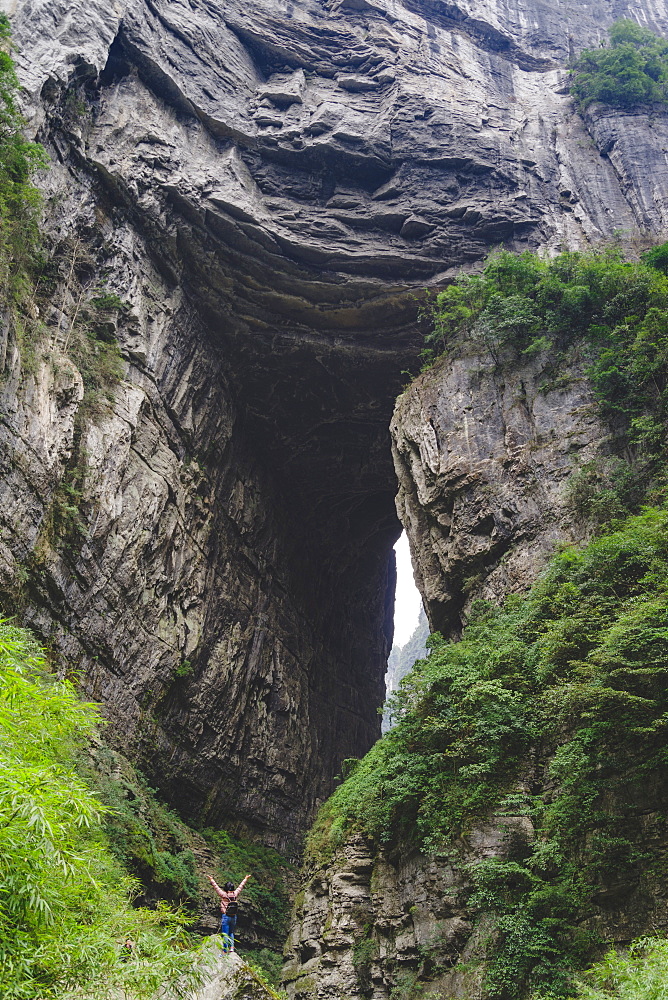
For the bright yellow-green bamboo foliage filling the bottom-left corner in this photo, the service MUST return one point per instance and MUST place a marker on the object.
(65, 903)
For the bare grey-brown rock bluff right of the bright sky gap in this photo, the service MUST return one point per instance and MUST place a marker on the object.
(485, 455)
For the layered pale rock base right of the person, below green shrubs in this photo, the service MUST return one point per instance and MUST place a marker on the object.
(367, 923)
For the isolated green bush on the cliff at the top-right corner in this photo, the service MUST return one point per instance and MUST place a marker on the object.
(632, 70)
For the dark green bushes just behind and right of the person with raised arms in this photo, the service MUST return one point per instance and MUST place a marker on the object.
(267, 887)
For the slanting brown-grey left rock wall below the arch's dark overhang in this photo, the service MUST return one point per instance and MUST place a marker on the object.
(210, 634)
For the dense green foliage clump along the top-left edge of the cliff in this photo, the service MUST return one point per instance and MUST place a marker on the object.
(19, 159)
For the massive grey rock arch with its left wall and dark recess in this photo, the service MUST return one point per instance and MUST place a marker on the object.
(265, 185)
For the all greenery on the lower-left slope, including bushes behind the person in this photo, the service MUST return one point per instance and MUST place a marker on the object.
(83, 840)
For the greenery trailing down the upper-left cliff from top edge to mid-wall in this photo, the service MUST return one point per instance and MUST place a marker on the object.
(31, 280)
